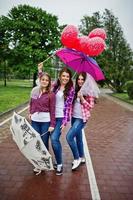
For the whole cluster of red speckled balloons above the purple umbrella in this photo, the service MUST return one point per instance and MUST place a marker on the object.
(92, 45)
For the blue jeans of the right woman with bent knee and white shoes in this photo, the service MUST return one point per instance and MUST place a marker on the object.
(74, 137)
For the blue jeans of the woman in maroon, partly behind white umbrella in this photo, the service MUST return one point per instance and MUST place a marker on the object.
(42, 127)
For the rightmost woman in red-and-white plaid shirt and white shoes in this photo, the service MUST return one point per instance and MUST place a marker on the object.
(85, 92)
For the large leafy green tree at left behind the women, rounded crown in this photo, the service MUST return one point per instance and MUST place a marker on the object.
(32, 36)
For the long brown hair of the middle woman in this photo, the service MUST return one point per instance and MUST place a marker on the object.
(67, 86)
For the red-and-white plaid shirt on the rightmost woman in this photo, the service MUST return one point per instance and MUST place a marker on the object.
(86, 106)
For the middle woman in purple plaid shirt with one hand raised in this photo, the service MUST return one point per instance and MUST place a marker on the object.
(64, 93)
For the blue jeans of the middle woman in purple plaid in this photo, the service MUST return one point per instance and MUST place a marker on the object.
(56, 144)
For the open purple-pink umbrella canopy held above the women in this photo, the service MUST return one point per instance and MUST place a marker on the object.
(79, 62)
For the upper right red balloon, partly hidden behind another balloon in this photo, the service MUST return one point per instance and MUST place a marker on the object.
(98, 32)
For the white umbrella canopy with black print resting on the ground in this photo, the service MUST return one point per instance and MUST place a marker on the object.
(30, 143)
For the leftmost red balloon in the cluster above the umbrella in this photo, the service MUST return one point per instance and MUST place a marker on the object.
(69, 36)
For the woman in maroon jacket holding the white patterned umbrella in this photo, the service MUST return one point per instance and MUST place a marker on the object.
(42, 108)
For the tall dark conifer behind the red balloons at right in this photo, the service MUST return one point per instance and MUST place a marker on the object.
(117, 59)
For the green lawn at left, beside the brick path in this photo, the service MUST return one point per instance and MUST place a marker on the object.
(13, 96)
